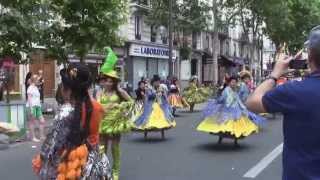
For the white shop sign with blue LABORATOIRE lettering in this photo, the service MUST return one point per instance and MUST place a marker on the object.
(150, 51)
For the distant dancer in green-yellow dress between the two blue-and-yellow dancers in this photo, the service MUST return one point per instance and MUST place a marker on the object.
(194, 94)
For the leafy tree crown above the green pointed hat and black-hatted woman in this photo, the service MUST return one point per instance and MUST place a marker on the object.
(82, 26)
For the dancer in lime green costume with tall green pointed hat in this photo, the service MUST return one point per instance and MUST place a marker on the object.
(117, 104)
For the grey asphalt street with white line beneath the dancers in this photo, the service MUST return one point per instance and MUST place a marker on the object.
(185, 155)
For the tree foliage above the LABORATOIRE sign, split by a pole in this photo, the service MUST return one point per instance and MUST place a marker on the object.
(188, 17)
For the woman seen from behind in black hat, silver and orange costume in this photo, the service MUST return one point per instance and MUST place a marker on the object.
(70, 150)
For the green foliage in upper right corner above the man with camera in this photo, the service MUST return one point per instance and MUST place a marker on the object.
(286, 21)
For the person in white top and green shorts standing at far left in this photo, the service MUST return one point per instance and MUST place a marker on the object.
(34, 109)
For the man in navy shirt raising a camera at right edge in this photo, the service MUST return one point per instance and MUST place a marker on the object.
(299, 103)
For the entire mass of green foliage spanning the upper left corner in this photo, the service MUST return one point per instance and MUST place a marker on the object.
(62, 26)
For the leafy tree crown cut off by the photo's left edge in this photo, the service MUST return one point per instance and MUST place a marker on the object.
(19, 27)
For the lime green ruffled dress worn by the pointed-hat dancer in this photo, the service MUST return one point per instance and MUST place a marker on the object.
(118, 119)
